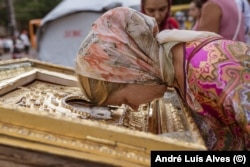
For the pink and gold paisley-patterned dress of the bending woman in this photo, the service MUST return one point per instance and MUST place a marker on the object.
(218, 90)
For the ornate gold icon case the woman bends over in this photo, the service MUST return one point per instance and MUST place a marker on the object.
(42, 108)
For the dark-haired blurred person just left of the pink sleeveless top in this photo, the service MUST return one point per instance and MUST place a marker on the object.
(195, 12)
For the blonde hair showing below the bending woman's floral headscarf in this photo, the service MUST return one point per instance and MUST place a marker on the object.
(98, 91)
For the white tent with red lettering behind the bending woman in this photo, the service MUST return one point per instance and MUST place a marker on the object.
(63, 29)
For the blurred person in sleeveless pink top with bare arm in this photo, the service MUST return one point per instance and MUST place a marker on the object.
(222, 17)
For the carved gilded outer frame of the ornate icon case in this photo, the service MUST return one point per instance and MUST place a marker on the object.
(79, 138)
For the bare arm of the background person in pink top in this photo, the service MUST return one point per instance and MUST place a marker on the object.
(210, 17)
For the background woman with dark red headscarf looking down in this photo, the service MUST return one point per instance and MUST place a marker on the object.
(160, 10)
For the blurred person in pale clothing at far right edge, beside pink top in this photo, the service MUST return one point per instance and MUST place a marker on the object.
(244, 7)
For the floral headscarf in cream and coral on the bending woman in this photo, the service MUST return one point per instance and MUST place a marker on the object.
(125, 46)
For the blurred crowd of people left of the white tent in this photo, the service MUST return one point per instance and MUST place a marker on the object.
(18, 46)
